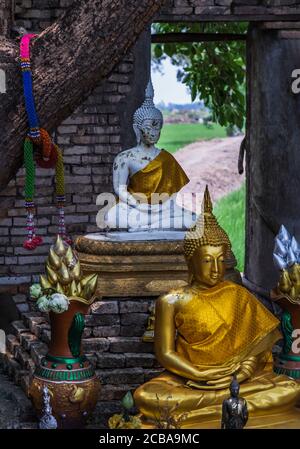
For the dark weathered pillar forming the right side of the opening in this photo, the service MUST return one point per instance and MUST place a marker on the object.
(273, 156)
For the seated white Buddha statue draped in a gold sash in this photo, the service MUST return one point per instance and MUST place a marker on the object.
(146, 180)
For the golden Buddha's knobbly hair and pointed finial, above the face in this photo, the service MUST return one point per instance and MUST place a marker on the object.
(206, 231)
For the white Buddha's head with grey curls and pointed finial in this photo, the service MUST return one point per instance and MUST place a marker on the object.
(148, 120)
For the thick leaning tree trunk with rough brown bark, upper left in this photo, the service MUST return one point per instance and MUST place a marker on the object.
(68, 61)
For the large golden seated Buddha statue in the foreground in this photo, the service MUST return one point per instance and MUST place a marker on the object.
(209, 331)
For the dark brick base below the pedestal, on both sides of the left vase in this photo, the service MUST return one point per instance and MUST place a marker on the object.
(112, 342)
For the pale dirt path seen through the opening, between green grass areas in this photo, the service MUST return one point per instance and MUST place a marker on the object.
(213, 162)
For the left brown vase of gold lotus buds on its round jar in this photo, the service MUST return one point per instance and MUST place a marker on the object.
(68, 375)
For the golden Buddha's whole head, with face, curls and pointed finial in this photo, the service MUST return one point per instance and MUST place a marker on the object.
(207, 248)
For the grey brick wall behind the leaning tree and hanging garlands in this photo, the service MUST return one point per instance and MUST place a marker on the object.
(90, 139)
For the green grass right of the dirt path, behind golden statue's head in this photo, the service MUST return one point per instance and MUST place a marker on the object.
(230, 212)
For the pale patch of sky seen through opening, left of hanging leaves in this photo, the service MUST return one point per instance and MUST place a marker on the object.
(166, 86)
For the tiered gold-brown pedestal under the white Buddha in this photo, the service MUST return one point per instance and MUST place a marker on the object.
(133, 268)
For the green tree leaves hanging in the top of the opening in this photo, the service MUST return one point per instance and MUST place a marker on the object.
(213, 71)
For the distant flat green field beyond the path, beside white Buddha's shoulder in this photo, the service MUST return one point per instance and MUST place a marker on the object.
(175, 136)
